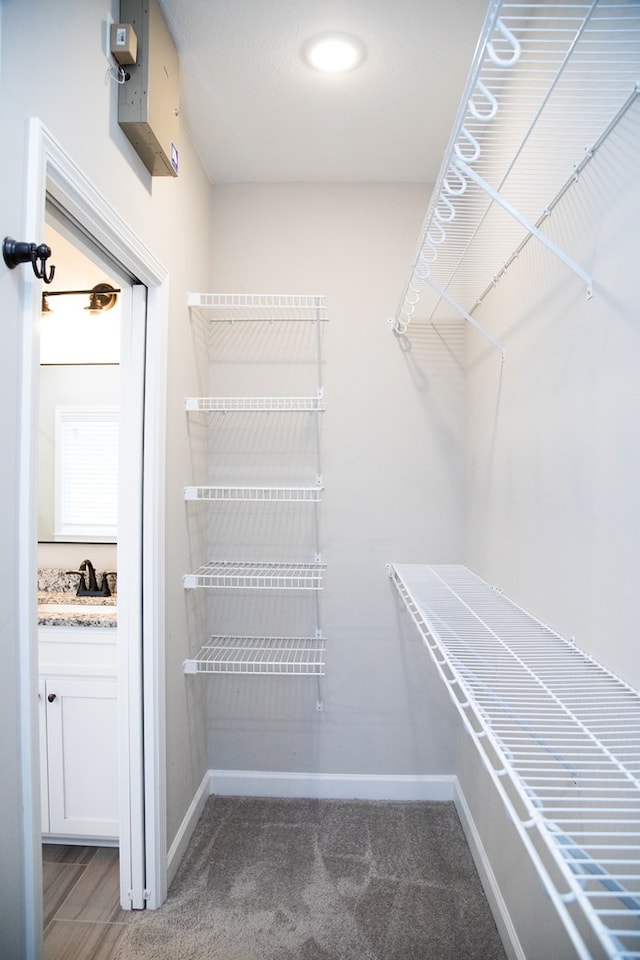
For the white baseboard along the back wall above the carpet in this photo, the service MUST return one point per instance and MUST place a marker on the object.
(330, 786)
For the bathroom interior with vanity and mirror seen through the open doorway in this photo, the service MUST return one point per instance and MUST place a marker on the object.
(78, 495)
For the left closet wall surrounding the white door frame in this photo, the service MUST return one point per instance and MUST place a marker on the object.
(171, 217)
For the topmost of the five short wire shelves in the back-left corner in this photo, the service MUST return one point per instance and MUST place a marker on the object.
(242, 307)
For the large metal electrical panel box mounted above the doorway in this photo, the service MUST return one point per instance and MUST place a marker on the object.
(148, 102)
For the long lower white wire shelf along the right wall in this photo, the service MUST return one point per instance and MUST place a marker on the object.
(566, 735)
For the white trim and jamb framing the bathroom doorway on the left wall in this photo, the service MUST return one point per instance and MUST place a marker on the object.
(55, 181)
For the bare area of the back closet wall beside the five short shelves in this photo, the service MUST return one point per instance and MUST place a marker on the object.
(392, 446)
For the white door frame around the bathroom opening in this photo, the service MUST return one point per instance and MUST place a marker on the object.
(50, 170)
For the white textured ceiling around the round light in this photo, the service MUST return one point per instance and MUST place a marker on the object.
(256, 112)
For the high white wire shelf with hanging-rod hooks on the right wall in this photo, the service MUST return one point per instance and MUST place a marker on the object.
(548, 83)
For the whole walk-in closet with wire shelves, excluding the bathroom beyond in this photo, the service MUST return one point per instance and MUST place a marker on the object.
(389, 535)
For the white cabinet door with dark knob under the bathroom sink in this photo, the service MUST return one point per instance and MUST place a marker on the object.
(82, 752)
